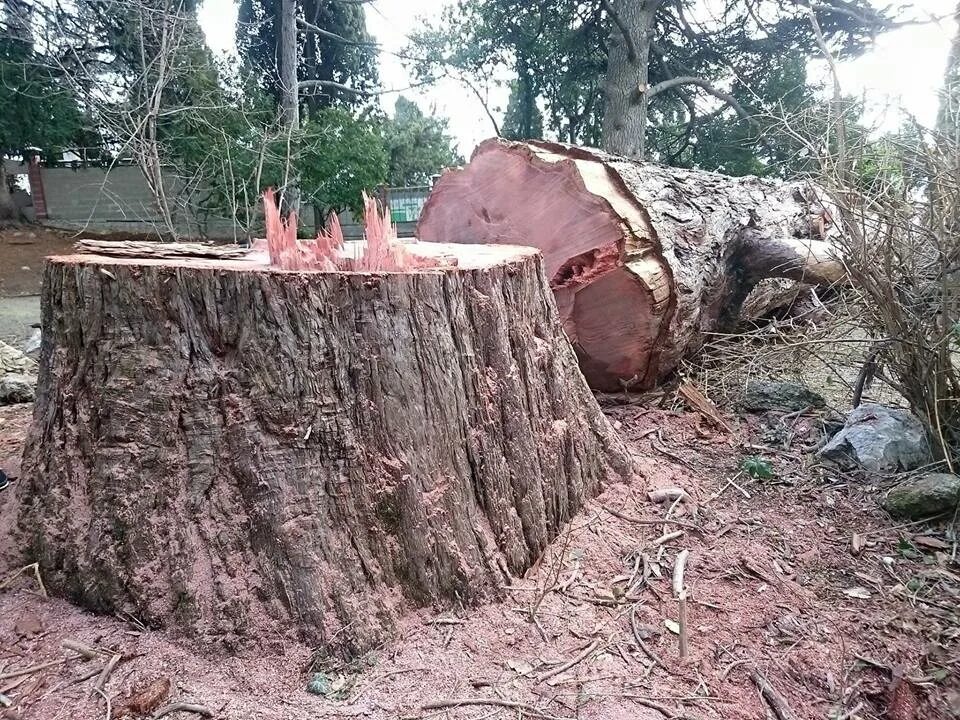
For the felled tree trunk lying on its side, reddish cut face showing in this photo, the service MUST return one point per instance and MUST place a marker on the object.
(643, 260)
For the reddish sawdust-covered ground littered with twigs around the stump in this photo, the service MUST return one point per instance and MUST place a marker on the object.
(767, 575)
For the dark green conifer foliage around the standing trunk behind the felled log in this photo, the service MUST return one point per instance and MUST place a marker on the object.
(558, 52)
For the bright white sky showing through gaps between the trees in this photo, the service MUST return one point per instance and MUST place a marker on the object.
(904, 69)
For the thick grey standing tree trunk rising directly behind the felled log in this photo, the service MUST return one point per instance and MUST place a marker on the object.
(628, 63)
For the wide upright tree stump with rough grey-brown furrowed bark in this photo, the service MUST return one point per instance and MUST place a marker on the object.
(238, 452)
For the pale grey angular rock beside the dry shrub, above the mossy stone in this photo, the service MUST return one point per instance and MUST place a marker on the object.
(880, 439)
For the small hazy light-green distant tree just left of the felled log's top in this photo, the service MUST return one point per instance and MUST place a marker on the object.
(418, 146)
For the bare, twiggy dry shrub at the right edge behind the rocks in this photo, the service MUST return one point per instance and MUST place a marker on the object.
(897, 201)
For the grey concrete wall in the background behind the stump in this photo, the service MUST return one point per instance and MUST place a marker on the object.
(121, 201)
